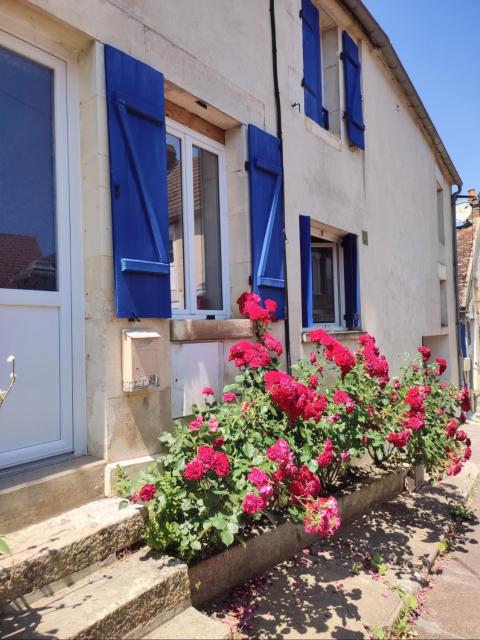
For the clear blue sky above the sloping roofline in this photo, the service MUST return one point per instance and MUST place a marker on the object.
(438, 44)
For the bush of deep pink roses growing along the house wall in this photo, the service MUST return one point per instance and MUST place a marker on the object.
(275, 444)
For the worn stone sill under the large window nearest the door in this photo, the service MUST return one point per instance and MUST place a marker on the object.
(209, 330)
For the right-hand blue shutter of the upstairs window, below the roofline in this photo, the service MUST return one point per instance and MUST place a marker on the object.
(353, 93)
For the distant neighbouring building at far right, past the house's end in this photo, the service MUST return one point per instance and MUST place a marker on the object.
(468, 290)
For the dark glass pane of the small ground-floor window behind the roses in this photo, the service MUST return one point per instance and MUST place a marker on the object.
(323, 284)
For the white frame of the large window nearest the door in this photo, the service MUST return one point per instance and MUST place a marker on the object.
(188, 139)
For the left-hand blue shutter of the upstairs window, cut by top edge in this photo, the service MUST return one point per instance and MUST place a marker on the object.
(312, 67)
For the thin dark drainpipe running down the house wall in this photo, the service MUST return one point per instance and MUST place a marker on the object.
(278, 111)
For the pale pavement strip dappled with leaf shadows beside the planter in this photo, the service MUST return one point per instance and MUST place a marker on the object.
(329, 591)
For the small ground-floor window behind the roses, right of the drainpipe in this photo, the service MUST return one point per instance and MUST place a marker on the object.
(326, 283)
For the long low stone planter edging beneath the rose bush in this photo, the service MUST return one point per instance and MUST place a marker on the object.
(218, 574)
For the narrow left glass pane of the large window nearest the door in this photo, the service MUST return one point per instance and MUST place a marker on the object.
(175, 221)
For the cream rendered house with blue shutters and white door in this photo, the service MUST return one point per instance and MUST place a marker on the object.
(137, 196)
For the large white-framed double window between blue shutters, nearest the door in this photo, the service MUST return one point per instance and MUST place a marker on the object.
(196, 214)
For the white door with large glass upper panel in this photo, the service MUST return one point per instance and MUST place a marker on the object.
(36, 420)
